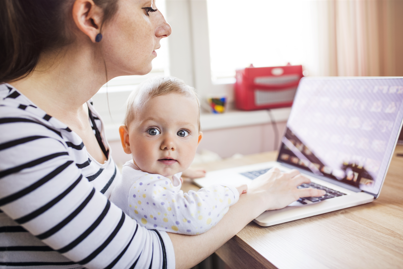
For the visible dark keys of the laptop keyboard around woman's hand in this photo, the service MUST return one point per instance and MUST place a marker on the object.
(330, 193)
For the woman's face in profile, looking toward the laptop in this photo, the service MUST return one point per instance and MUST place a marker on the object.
(131, 38)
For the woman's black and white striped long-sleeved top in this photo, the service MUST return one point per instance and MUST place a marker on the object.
(54, 207)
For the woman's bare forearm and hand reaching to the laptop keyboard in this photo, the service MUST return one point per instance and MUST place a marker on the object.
(273, 190)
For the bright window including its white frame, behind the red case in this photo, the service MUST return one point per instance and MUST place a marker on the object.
(229, 34)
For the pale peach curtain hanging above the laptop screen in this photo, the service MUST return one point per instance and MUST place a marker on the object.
(361, 37)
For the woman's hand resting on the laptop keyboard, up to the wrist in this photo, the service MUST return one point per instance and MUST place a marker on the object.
(277, 189)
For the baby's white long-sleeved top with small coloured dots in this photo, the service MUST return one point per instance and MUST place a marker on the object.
(156, 204)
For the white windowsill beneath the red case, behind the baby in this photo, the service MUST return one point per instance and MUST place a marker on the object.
(230, 119)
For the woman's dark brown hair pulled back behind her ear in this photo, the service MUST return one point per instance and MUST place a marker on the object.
(30, 27)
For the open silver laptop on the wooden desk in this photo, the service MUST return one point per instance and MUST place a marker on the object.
(341, 134)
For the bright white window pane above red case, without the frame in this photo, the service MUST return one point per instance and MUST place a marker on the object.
(259, 32)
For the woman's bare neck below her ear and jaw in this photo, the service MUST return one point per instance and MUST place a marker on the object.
(63, 81)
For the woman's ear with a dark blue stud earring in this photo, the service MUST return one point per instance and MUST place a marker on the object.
(88, 17)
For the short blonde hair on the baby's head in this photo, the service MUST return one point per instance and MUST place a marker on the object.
(153, 88)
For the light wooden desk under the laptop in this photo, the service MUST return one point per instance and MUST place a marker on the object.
(366, 236)
